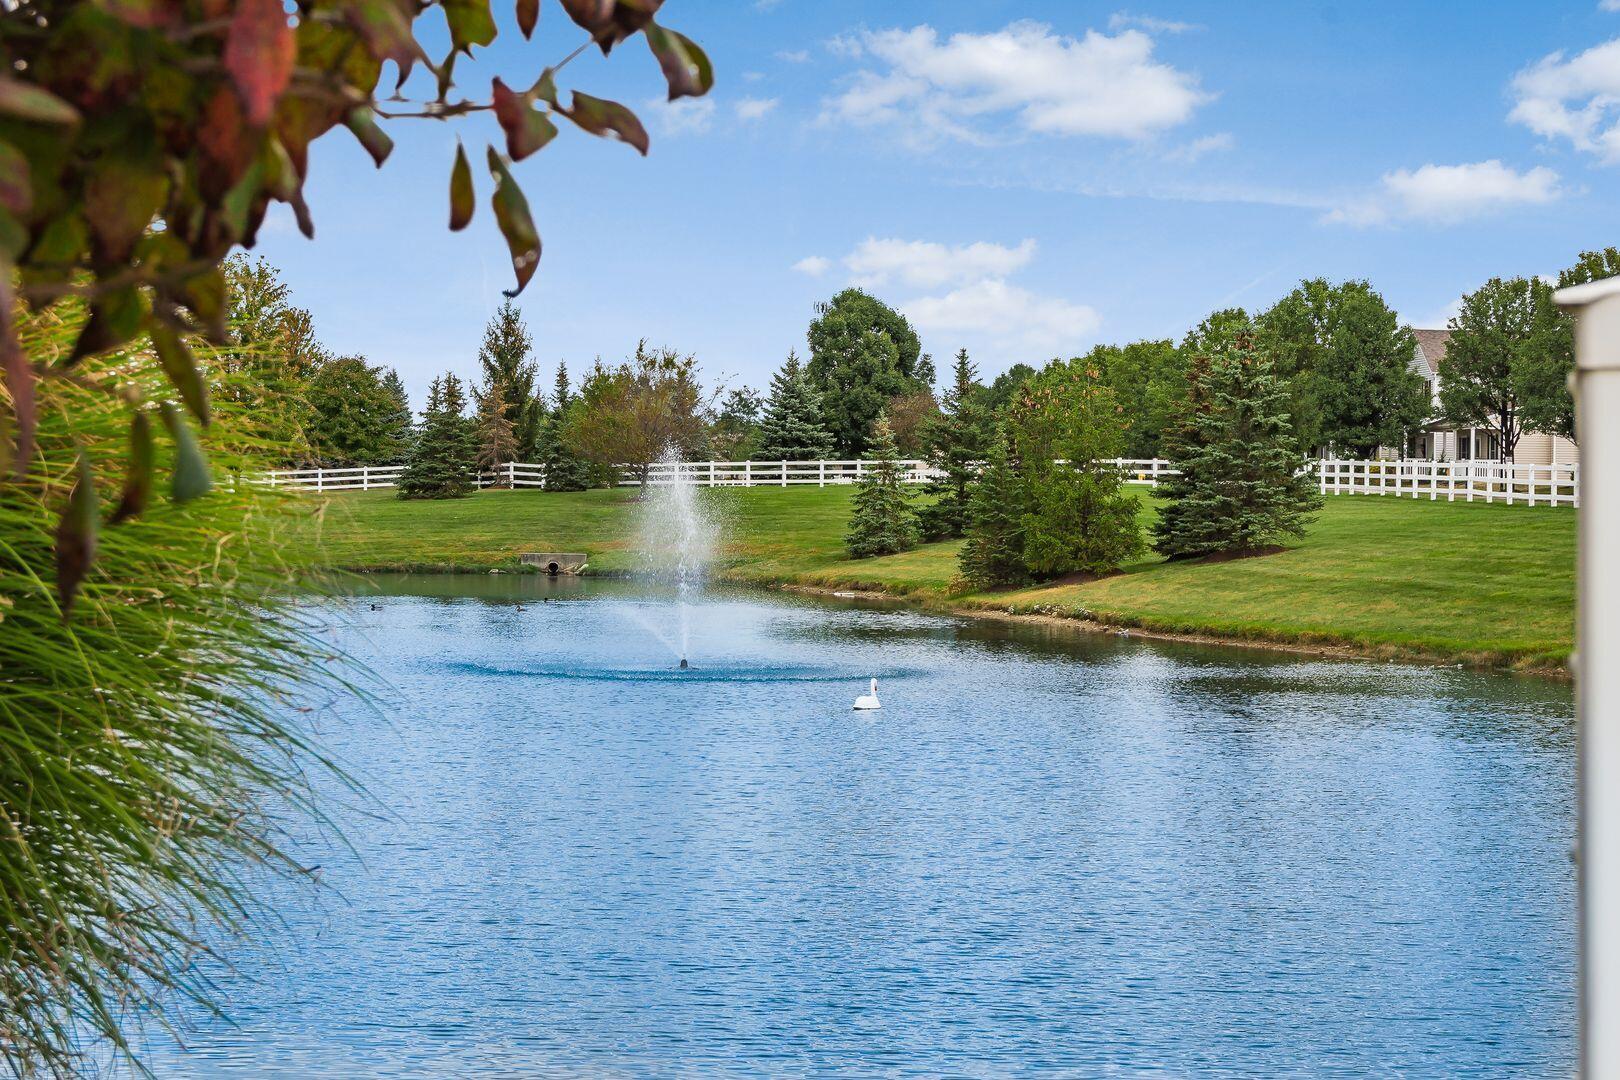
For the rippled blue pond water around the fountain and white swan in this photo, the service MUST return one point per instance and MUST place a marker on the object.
(1047, 854)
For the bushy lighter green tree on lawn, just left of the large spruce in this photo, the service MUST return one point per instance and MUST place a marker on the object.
(1078, 517)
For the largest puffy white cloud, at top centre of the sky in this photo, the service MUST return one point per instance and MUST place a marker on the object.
(932, 88)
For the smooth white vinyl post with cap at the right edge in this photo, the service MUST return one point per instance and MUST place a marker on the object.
(1597, 307)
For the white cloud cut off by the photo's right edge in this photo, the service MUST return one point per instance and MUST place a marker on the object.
(1575, 98)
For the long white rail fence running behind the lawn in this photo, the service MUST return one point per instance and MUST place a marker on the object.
(1488, 482)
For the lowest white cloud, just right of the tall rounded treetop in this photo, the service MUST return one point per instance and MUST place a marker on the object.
(1007, 315)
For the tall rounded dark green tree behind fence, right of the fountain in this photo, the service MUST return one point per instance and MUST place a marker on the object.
(863, 354)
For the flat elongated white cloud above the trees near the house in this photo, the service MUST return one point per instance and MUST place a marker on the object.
(1446, 195)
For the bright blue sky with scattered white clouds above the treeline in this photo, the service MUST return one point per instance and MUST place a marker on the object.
(1023, 181)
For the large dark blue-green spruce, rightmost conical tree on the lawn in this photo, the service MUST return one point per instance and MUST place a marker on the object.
(1243, 483)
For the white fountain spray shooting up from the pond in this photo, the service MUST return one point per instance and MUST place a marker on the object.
(678, 542)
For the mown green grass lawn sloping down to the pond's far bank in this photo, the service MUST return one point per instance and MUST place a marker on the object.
(1399, 577)
